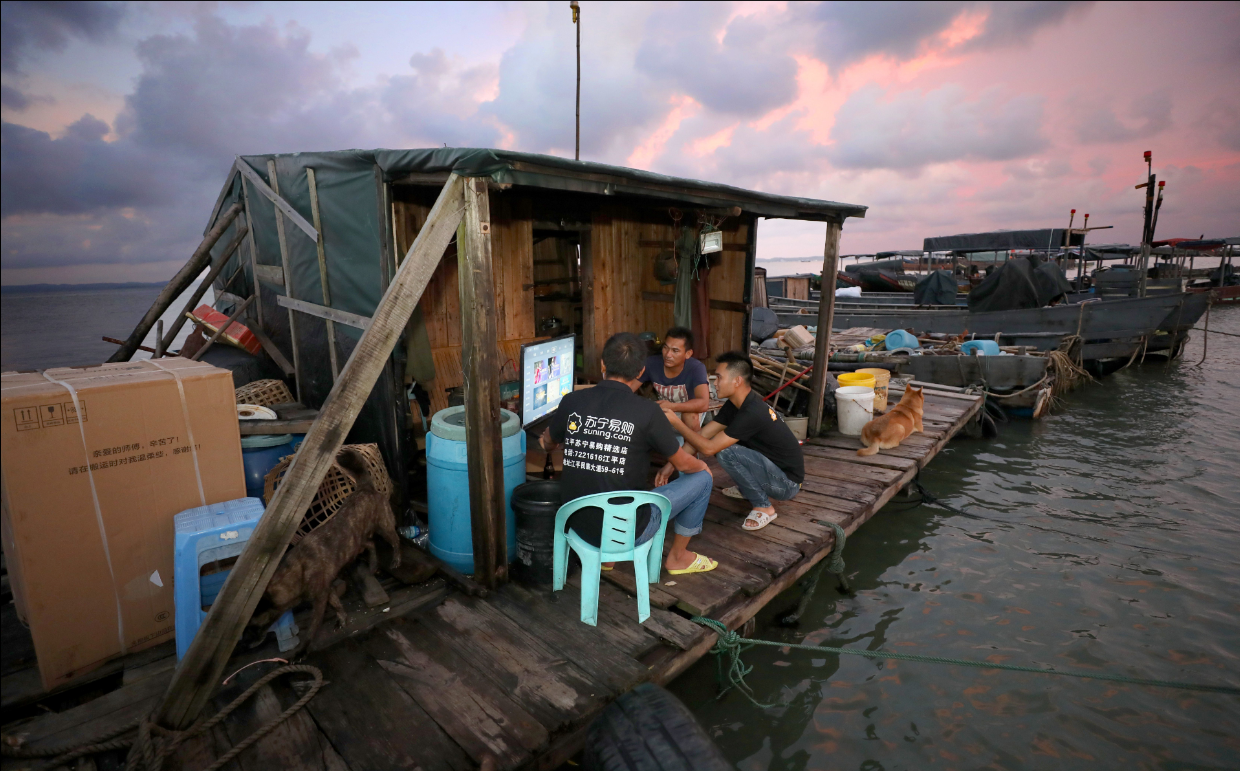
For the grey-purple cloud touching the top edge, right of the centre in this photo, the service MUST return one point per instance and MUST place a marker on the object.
(851, 32)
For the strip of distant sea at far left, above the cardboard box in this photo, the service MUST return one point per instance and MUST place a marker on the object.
(65, 329)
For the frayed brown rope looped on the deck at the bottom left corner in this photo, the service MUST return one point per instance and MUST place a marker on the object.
(154, 744)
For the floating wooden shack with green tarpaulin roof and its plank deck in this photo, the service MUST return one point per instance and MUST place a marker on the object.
(364, 272)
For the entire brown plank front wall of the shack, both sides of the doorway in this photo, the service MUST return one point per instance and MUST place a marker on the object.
(618, 277)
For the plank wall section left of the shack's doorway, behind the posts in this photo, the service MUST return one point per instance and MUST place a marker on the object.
(513, 270)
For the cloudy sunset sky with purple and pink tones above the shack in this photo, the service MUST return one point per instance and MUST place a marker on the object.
(121, 120)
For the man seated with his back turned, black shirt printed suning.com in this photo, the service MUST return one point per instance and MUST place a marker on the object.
(608, 433)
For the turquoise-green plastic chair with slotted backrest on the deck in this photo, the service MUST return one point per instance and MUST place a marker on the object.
(619, 534)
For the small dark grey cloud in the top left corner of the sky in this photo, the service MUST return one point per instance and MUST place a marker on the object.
(27, 28)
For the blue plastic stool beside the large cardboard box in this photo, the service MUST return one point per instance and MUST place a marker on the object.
(206, 535)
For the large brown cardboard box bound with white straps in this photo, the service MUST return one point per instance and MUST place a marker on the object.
(96, 462)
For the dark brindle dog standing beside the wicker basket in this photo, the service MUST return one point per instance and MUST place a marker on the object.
(311, 567)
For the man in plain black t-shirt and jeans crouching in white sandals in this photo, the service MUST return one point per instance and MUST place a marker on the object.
(751, 442)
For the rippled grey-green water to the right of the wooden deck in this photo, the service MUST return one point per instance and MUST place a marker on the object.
(1117, 549)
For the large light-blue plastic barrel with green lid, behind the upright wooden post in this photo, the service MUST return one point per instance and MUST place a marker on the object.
(452, 539)
